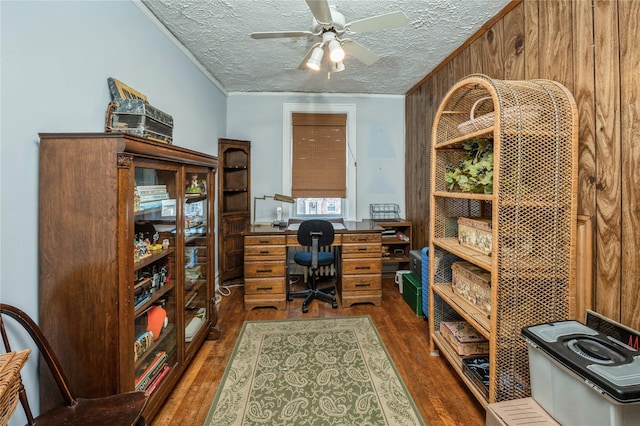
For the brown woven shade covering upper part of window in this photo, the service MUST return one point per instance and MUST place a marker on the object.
(319, 156)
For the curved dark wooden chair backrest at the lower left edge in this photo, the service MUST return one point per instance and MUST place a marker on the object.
(45, 351)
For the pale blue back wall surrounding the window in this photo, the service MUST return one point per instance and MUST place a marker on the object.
(379, 143)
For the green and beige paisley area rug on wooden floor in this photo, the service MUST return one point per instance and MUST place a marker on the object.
(324, 371)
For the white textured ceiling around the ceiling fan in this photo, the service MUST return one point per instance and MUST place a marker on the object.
(217, 34)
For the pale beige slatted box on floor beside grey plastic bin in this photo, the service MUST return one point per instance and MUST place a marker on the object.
(518, 412)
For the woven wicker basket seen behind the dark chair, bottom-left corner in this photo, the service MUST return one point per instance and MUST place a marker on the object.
(10, 365)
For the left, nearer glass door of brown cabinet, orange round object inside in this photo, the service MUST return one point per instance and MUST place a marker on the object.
(154, 265)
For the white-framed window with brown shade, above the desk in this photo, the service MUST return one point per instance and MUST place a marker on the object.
(326, 187)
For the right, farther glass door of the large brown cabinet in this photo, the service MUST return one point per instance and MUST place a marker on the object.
(196, 253)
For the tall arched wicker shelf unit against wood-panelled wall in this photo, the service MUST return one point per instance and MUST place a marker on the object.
(532, 126)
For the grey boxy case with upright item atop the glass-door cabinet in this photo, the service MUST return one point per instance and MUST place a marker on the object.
(130, 112)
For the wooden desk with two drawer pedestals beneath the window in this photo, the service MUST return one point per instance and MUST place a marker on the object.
(359, 267)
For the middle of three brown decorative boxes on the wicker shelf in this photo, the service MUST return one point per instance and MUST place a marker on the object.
(473, 283)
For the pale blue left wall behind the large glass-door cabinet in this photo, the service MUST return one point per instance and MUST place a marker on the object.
(55, 61)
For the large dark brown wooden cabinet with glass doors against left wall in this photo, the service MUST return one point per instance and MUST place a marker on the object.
(126, 242)
